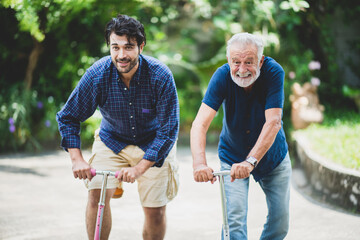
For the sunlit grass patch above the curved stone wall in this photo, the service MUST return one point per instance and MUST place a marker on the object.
(337, 138)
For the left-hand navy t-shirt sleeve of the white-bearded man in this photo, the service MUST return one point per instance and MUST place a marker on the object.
(215, 93)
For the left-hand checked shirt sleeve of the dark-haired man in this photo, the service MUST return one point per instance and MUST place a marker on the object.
(81, 105)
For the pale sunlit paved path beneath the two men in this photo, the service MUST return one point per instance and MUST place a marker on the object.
(40, 199)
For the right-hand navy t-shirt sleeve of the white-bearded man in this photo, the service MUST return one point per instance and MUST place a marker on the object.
(274, 76)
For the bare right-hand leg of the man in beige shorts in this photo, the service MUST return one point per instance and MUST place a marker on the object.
(155, 223)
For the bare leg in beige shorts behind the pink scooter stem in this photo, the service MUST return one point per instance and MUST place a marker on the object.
(91, 213)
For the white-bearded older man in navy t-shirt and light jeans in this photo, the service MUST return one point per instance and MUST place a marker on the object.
(252, 140)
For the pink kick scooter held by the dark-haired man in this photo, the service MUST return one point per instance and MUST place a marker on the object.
(99, 217)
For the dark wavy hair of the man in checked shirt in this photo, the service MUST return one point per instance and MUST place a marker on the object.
(125, 25)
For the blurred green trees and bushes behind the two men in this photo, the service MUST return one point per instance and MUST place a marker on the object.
(46, 46)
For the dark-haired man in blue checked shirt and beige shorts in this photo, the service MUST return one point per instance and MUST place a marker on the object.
(137, 98)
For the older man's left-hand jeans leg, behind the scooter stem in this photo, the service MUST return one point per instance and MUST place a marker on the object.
(237, 205)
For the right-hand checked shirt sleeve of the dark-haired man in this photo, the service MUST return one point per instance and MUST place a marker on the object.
(167, 113)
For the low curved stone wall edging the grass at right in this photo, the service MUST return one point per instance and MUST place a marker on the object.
(337, 185)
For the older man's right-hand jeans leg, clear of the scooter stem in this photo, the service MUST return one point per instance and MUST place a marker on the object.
(276, 187)
